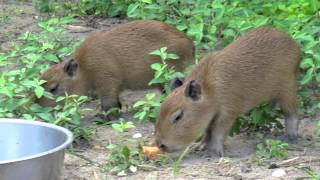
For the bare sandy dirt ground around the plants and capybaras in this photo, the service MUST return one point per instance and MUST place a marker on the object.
(17, 18)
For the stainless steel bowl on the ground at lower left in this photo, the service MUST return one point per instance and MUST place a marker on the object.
(31, 150)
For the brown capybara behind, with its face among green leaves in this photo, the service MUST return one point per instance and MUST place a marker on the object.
(108, 62)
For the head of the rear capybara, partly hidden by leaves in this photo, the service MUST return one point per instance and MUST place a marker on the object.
(60, 79)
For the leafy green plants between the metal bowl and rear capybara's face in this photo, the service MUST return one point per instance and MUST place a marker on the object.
(19, 83)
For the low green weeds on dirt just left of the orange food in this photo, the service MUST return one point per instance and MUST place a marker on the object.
(126, 156)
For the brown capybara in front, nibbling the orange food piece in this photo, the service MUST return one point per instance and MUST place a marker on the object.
(261, 66)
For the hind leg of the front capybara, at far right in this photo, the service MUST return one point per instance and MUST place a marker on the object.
(288, 102)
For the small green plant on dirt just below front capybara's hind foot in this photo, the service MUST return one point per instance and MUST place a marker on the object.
(271, 149)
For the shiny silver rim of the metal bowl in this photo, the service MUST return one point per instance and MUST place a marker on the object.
(33, 122)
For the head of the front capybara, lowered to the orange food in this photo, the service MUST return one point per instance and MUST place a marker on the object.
(183, 116)
